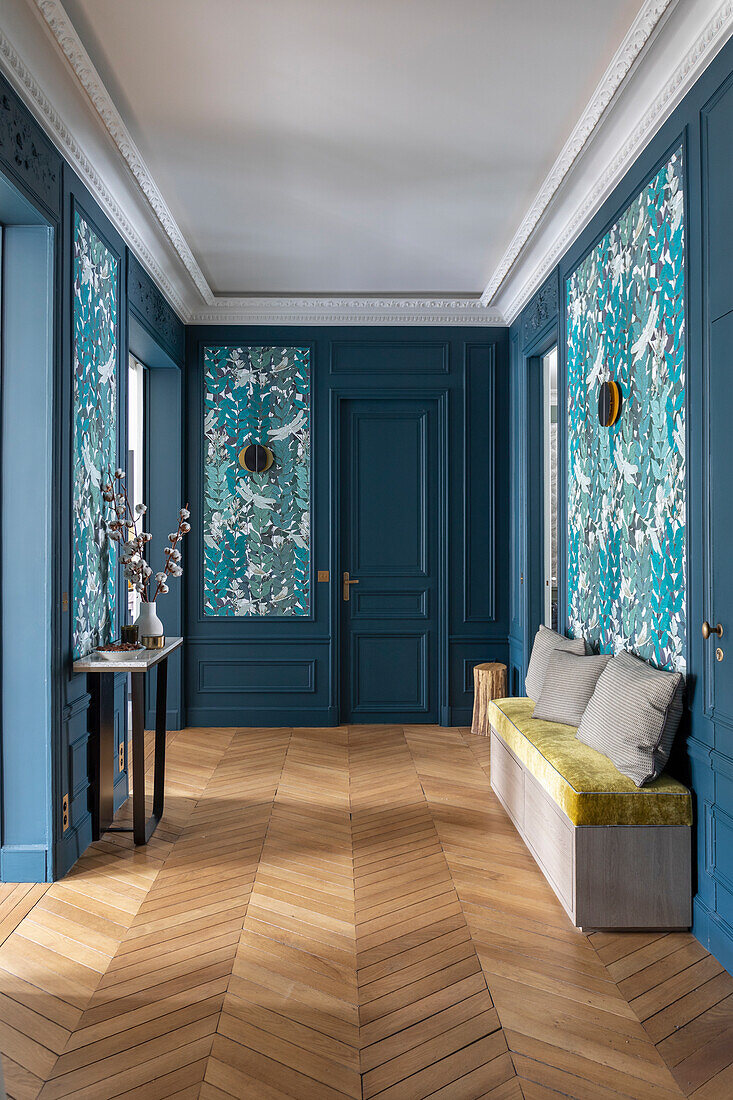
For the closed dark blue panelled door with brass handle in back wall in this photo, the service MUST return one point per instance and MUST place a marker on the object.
(389, 548)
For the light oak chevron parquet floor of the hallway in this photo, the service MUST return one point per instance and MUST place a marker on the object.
(342, 914)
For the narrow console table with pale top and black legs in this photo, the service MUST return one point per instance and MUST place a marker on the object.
(101, 679)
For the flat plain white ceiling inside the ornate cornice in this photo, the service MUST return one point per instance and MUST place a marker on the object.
(351, 147)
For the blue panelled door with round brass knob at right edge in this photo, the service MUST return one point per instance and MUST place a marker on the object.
(712, 531)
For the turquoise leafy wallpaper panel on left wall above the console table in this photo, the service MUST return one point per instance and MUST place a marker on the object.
(95, 322)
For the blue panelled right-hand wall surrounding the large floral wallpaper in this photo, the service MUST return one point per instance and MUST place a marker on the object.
(704, 754)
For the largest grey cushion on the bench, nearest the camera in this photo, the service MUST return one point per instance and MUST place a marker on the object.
(633, 717)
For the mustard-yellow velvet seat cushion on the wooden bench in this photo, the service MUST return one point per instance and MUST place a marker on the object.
(584, 783)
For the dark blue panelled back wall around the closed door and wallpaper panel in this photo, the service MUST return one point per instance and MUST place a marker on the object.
(469, 369)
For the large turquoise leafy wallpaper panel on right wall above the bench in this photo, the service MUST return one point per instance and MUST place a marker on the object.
(627, 499)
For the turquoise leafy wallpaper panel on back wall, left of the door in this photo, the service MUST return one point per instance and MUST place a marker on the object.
(257, 527)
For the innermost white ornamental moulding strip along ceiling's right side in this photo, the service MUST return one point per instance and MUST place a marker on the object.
(637, 38)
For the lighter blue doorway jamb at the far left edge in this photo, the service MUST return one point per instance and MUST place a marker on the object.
(26, 546)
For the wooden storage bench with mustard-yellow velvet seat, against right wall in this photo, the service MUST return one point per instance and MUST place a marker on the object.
(618, 856)
